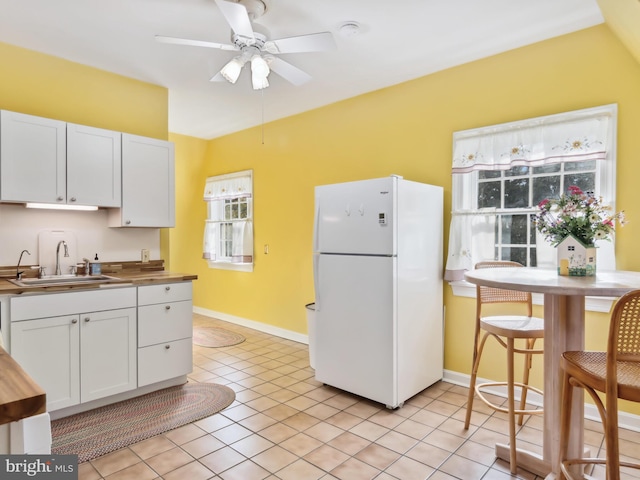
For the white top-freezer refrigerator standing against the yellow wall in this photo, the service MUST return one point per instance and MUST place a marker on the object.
(378, 268)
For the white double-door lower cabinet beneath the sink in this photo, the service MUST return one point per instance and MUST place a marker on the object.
(77, 355)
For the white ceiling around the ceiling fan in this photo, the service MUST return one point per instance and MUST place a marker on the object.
(399, 40)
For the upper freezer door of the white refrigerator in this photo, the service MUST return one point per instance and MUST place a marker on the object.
(356, 217)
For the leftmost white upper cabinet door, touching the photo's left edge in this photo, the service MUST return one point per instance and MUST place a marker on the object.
(32, 159)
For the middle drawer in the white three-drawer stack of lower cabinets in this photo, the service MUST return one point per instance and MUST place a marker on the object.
(164, 322)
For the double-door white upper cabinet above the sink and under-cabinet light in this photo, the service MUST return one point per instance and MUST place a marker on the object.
(50, 161)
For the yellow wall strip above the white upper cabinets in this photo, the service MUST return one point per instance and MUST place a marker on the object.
(51, 87)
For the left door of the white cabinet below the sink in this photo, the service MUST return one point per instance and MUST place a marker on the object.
(48, 350)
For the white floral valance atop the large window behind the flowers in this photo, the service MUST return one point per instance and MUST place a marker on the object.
(534, 142)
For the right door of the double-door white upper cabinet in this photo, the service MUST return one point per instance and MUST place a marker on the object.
(94, 166)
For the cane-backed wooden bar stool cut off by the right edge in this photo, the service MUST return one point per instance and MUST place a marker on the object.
(616, 373)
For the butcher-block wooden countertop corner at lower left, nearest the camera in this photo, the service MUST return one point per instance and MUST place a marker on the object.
(20, 396)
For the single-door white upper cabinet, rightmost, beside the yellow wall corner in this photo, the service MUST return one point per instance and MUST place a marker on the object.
(148, 196)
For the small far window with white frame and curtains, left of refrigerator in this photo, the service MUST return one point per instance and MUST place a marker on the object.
(218, 191)
